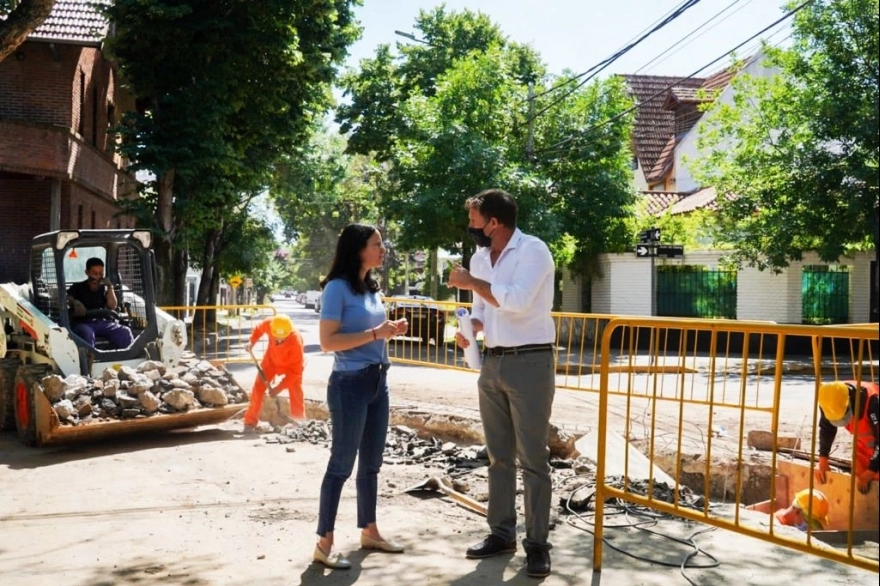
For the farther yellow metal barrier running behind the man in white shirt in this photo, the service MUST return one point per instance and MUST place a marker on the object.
(657, 351)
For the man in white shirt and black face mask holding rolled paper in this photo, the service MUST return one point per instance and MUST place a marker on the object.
(511, 275)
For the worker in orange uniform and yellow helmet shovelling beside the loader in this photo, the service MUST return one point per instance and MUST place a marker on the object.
(284, 357)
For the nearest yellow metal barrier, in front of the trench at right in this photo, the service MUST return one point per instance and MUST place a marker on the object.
(723, 409)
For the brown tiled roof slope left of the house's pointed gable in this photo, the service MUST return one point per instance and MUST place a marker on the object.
(654, 124)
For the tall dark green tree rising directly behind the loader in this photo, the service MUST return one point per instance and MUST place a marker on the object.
(224, 89)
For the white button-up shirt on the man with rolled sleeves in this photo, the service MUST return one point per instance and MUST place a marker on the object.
(522, 283)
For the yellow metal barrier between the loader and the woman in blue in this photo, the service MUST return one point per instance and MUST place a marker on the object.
(220, 332)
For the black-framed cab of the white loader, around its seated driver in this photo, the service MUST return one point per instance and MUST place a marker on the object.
(58, 259)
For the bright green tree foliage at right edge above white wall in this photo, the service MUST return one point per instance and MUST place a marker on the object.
(796, 154)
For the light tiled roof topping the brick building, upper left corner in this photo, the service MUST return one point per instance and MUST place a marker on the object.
(73, 21)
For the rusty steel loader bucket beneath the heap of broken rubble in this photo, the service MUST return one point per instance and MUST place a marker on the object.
(47, 429)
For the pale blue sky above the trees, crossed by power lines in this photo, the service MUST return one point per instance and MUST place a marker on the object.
(578, 34)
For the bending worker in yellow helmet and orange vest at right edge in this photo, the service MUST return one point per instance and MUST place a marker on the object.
(856, 408)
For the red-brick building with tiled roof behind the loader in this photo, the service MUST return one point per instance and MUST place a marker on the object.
(59, 95)
